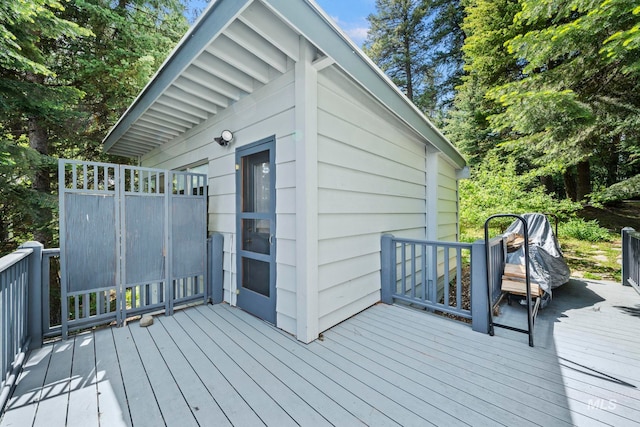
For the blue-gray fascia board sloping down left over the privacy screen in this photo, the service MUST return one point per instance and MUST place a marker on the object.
(213, 21)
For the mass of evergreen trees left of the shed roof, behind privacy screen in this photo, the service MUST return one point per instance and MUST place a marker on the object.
(72, 71)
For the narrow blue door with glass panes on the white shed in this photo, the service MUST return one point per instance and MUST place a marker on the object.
(256, 228)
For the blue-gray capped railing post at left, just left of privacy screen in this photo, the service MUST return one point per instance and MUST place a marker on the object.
(34, 317)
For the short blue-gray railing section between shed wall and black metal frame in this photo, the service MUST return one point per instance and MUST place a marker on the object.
(432, 275)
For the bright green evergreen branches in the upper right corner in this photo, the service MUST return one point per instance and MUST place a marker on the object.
(576, 102)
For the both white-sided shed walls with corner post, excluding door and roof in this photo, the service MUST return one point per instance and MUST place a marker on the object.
(371, 176)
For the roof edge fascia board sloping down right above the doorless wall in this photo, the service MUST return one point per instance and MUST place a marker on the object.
(309, 19)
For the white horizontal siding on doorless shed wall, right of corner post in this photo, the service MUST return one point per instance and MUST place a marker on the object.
(371, 178)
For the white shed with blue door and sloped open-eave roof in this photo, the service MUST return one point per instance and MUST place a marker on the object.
(327, 155)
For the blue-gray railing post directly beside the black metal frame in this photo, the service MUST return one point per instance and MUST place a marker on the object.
(479, 293)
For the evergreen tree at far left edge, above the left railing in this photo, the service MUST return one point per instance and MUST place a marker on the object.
(25, 99)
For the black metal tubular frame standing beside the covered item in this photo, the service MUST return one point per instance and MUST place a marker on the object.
(531, 313)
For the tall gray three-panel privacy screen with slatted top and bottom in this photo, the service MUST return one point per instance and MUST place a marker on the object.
(132, 241)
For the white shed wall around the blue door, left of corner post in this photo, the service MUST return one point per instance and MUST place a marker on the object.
(268, 111)
